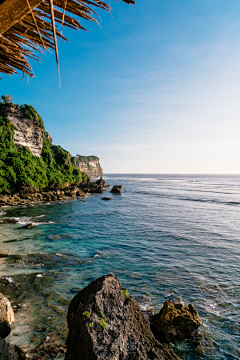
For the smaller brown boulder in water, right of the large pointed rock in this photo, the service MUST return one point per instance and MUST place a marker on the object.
(175, 322)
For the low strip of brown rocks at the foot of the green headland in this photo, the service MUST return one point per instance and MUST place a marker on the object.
(27, 195)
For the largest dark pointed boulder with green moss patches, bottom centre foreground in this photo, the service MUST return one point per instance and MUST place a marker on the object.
(105, 323)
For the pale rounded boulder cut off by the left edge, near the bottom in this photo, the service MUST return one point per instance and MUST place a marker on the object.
(6, 316)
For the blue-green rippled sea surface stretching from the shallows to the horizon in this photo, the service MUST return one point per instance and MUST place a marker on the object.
(165, 237)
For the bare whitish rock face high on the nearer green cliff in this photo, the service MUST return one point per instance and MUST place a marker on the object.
(27, 131)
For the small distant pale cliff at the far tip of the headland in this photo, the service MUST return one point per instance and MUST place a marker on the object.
(89, 164)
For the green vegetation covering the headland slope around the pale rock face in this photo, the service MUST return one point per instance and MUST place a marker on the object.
(19, 167)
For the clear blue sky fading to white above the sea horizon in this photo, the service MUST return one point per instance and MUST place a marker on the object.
(155, 89)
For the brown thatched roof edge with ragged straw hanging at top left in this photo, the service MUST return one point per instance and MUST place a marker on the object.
(27, 26)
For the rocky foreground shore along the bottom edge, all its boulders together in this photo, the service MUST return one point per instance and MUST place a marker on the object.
(105, 322)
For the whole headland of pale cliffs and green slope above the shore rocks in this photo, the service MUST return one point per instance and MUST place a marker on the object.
(29, 158)
